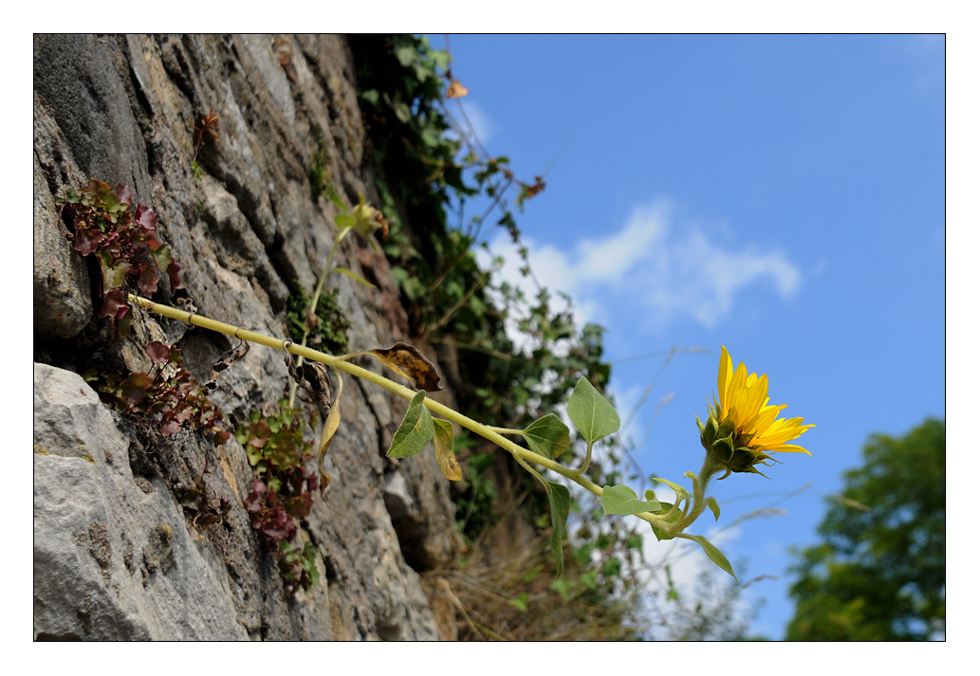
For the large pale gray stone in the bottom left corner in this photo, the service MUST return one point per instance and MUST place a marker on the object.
(89, 518)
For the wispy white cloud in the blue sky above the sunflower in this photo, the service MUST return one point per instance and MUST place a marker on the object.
(669, 269)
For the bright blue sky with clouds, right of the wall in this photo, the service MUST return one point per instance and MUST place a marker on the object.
(783, 196)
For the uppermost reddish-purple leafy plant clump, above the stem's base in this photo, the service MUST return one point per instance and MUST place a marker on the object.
(104, 224)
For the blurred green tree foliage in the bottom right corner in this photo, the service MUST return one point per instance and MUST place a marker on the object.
(880, 573)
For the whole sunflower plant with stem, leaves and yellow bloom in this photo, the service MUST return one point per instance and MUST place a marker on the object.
(740, 433)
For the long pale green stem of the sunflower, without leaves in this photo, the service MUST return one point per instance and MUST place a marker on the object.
(490, 433)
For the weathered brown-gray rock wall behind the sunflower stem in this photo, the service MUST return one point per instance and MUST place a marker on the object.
(115, 556)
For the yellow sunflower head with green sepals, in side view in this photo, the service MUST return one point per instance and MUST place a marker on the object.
(742, 429)
